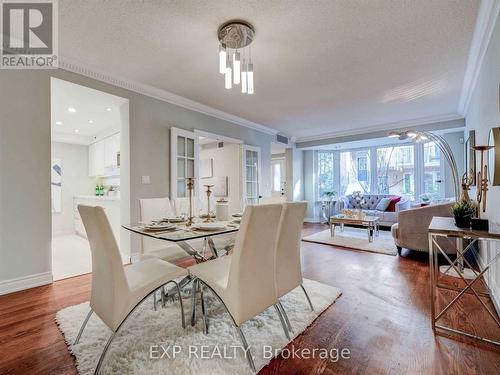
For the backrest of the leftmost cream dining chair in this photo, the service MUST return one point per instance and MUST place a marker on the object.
(108, 277)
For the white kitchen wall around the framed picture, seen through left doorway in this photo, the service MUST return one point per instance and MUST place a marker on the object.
(75, 181)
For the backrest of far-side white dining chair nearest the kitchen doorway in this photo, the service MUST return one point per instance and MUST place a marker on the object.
(154, 209)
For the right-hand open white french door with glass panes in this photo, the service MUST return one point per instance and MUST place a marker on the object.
(251, 174)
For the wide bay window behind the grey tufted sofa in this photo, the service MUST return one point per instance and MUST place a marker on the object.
(408, 170)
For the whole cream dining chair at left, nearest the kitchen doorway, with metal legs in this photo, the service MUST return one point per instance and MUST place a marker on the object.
(117, 290)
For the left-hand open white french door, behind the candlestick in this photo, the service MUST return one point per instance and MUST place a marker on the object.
(184, 155)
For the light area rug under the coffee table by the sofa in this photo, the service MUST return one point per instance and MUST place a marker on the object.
(356, 238)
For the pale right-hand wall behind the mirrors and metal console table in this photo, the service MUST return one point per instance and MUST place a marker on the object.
(482, 115)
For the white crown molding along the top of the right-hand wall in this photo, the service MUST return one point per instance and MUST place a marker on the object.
(486, 19)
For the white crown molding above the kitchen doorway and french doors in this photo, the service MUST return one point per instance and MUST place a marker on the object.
(163, 95)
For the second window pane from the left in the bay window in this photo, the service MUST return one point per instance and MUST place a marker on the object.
(354, 171)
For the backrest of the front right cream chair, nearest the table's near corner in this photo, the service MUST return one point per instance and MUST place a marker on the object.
(251, 282)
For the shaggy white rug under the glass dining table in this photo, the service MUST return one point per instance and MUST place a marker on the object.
(143, 338)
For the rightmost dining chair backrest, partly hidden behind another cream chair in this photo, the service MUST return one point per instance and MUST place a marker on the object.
(288, 266)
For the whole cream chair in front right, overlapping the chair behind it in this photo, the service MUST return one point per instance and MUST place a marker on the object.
(244, 282)
